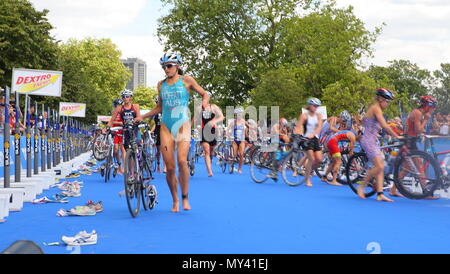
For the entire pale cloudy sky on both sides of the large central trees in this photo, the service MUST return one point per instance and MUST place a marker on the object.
(416, 30)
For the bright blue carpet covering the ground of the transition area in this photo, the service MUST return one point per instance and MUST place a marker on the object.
(231, 214)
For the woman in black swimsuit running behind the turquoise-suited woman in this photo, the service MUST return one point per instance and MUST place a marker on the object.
(211, 116)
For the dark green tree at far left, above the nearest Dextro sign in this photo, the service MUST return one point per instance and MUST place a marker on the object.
(25, 40)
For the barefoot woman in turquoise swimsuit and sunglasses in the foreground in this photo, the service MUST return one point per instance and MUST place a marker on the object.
(173, 102)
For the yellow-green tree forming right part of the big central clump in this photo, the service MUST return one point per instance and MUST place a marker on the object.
(327, 43)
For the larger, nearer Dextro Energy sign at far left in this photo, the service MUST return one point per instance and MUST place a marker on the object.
(37, 82)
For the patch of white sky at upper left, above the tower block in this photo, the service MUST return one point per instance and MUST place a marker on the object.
(107, 19)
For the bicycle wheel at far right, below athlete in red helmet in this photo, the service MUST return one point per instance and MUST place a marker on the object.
(417, 175)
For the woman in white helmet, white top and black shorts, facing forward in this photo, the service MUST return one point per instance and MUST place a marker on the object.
(309, 125)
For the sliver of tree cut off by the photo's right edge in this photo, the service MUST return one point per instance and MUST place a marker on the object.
(442, 91)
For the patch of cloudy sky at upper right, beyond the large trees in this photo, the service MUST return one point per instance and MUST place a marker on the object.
(416, 30)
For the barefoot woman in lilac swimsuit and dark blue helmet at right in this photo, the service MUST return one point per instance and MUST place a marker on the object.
(373, 121)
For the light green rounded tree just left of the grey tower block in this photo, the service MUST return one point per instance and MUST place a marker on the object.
(92, 74)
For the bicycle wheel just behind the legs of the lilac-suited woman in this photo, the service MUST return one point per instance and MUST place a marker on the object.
(356, 170)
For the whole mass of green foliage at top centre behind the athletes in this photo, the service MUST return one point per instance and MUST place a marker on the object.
(232, 46)
